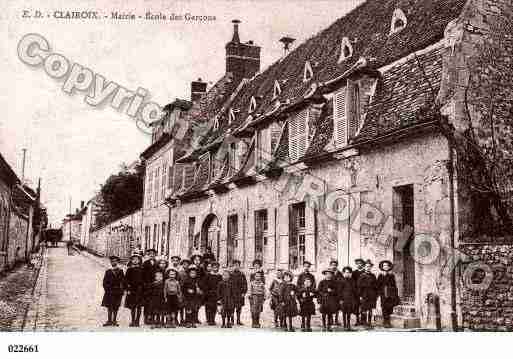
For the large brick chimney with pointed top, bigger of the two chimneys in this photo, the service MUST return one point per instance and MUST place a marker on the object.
(242, 59)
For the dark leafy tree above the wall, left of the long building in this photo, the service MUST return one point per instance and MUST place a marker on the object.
(121, 194)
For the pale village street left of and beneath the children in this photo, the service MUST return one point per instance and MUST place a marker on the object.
(69, 291)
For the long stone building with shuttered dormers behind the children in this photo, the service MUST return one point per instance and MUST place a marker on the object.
(350, 146)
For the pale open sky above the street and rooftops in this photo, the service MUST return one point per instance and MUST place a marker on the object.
(72, 146)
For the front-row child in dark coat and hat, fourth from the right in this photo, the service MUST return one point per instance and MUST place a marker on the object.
(328, 299)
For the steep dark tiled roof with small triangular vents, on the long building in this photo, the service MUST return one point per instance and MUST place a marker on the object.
(404, 94)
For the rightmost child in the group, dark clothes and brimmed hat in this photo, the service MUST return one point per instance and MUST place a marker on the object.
(387, 290)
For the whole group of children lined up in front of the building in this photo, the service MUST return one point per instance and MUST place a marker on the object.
(171, 294)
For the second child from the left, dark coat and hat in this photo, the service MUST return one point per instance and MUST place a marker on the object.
(134, 283)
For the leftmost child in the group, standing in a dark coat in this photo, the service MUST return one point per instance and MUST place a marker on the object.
(113, 281)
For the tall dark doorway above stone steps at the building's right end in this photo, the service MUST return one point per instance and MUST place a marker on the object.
(403, 212)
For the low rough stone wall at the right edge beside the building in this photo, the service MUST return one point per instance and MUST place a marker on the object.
(487, 285)
